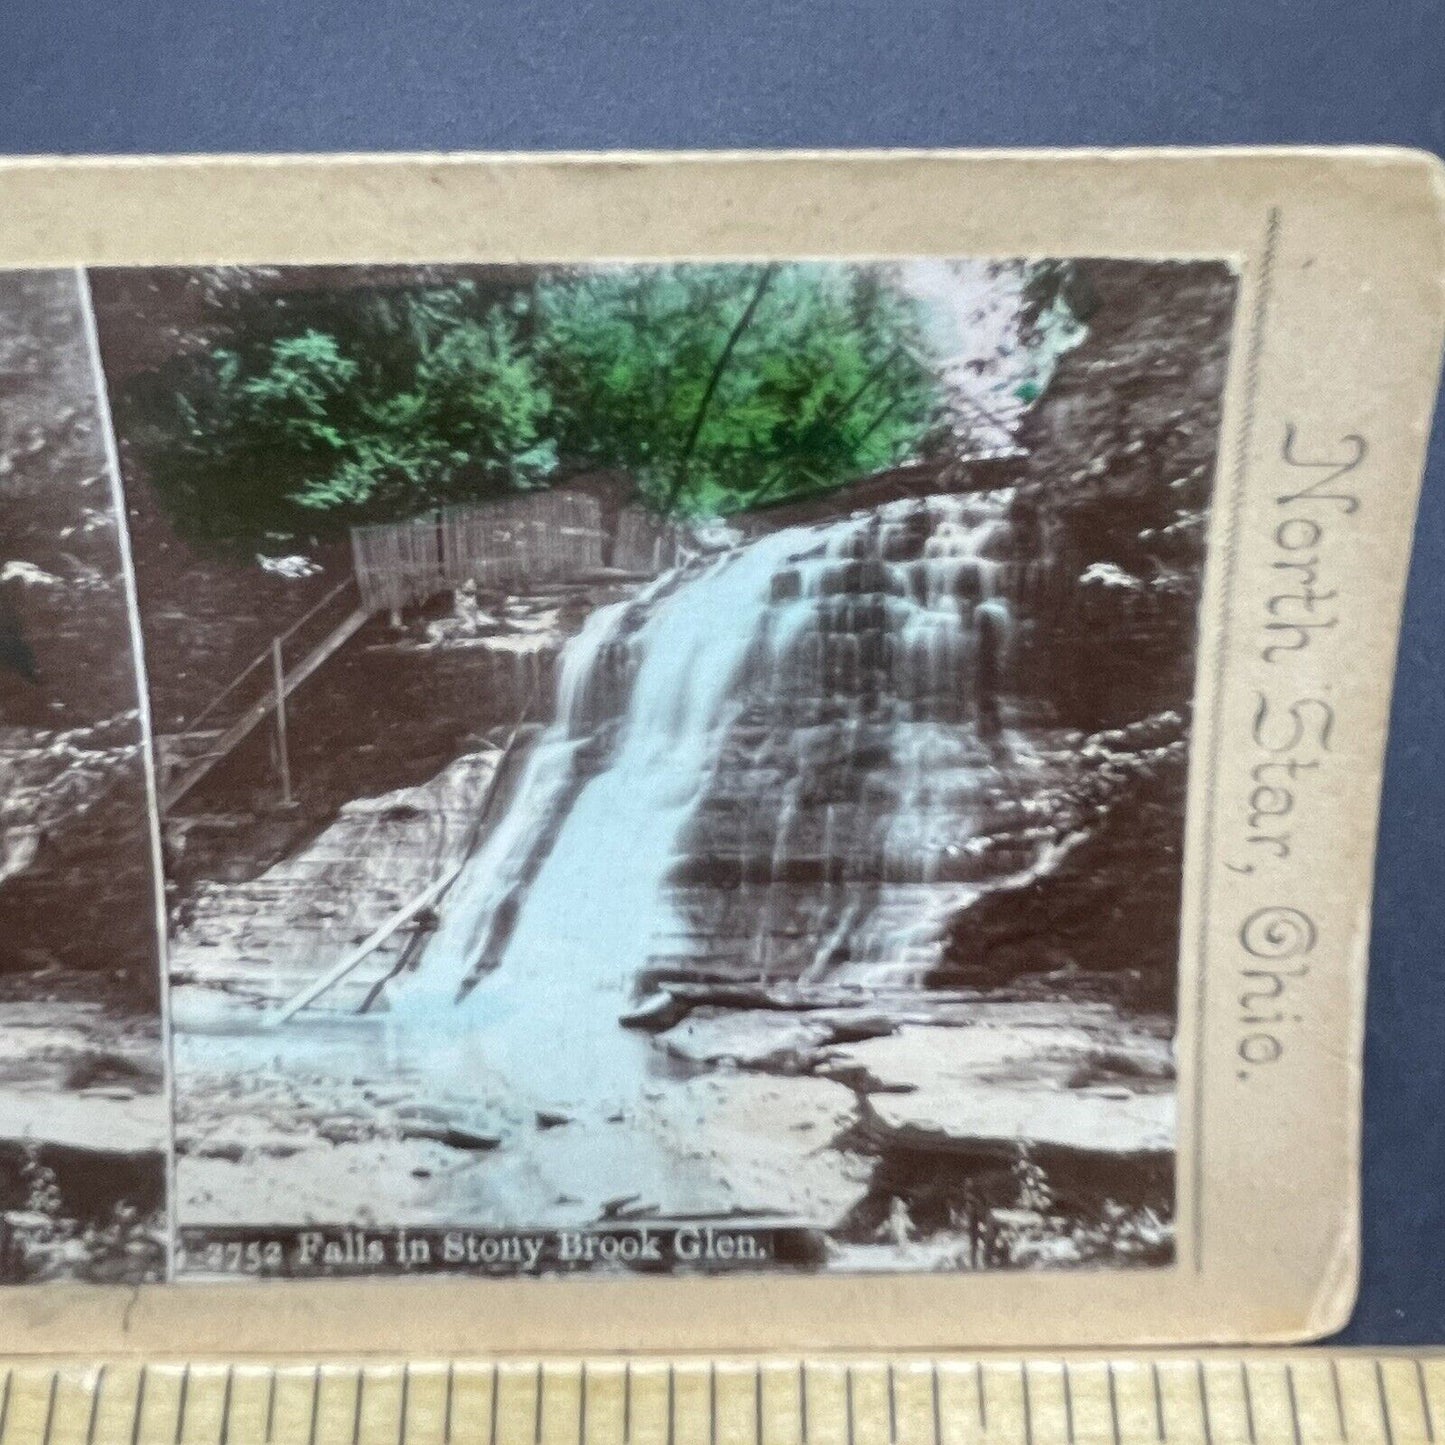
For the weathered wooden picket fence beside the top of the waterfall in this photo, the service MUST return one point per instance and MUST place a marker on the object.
(544, 537)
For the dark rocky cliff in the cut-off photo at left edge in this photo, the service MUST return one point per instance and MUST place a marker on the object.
(72, 782)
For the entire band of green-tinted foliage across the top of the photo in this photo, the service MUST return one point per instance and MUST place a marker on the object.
(716, 388)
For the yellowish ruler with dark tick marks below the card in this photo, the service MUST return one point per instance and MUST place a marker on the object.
(1248, 1398)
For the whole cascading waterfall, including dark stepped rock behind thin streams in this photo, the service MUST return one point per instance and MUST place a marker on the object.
(768, 767)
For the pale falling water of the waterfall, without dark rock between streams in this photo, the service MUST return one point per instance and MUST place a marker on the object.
(567, 901)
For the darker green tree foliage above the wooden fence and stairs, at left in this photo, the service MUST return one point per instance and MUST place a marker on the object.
(413, 401)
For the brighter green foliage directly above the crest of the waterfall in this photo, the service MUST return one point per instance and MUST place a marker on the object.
(826, 379)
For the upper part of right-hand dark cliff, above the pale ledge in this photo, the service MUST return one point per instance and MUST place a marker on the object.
(1118, 486)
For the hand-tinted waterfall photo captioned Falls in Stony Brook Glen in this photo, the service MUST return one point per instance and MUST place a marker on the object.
(671, 767)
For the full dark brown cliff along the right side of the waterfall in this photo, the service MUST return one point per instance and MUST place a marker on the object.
(1116, 499)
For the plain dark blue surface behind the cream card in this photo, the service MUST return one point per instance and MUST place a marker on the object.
(160, 76)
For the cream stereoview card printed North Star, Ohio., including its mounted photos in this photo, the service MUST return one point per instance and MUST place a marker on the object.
(697, 751)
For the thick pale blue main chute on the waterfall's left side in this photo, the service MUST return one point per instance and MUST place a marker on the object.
(583, 931)
